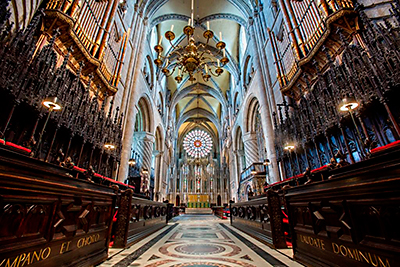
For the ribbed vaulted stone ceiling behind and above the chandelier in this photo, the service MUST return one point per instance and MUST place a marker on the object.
(200, 103)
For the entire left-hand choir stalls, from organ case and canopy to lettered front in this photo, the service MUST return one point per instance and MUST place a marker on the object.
(60, 143)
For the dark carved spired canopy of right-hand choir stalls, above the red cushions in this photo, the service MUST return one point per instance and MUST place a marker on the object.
(309, 115)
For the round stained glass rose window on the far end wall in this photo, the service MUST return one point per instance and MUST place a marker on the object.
(197, 144)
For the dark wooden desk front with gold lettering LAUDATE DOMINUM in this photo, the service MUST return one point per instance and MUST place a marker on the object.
(351, 219)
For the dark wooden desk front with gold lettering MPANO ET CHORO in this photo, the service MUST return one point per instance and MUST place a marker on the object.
(48, 218)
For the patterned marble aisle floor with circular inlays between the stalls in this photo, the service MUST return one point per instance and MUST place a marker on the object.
(199, 240)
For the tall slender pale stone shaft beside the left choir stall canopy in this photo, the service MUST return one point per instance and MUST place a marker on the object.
(131, 111)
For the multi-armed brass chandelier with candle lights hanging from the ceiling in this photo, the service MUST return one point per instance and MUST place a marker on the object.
(192, 58)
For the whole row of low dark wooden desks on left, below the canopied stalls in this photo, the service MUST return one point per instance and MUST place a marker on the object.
(50, 218)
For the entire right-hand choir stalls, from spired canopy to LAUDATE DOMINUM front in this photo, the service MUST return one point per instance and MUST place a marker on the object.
(337, 142)
